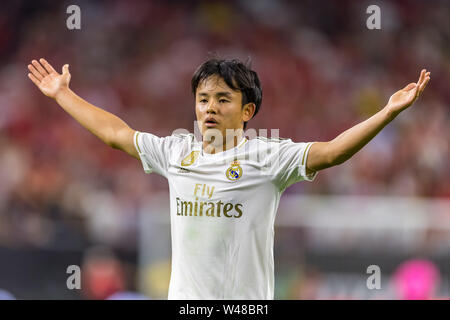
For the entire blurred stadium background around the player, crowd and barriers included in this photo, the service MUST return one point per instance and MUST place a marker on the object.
(67, 199)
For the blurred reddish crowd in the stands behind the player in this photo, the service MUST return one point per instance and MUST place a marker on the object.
(322, 71)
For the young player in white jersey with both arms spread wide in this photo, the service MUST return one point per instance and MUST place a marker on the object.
(224, 189)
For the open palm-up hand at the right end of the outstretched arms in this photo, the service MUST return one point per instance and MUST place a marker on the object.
(405, 97)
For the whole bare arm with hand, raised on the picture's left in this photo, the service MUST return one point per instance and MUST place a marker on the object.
(109, 128)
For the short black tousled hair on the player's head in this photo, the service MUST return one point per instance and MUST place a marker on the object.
(236, 74)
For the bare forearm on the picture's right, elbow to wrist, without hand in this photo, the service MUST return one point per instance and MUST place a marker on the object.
(344, 146)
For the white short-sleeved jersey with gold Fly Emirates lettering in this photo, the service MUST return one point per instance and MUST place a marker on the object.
(222, 211)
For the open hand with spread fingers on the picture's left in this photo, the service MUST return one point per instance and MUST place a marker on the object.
(47, 79)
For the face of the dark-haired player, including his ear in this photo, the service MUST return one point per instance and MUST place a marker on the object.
(218, 108)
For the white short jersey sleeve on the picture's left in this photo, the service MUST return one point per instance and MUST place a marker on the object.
(154, 151)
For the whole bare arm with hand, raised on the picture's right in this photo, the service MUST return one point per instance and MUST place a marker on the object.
(327, 154)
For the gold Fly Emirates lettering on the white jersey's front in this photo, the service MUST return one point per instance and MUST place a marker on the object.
(207, 208)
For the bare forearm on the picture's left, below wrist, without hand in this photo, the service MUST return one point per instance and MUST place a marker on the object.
(99, 122)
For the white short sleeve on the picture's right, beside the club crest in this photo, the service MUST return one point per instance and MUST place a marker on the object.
(288, 162)
